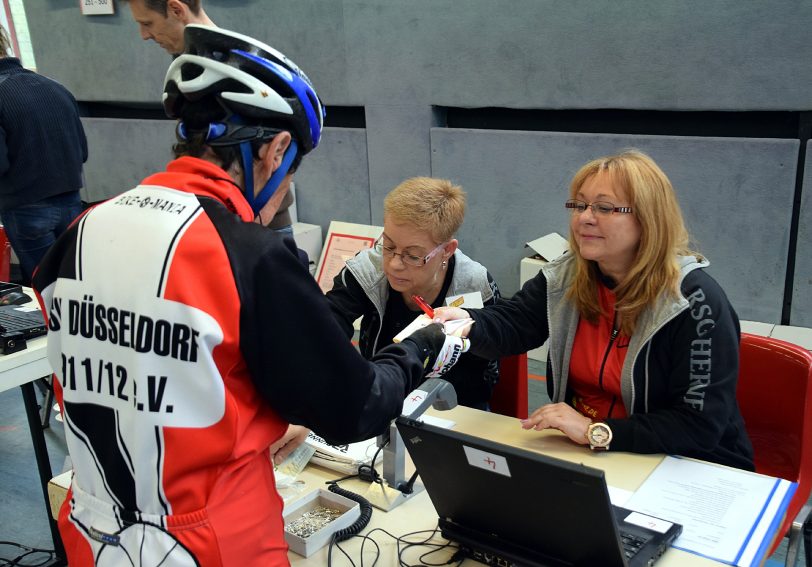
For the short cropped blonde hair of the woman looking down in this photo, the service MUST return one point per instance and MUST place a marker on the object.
(436, 206)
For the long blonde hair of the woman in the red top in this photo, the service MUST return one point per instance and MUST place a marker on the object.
(663, 237)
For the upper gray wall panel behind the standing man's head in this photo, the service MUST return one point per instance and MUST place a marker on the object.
(103, 58)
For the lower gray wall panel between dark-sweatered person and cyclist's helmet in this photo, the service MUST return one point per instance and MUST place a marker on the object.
(122, 152)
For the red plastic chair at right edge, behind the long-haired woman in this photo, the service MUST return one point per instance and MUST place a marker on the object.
(775, 398)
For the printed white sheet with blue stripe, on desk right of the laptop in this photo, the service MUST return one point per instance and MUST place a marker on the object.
(727, 514)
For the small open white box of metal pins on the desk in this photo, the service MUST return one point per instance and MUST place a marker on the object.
(350, 512)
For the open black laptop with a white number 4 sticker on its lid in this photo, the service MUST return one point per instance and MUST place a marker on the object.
(505, 506)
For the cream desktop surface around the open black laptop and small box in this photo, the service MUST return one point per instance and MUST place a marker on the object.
(623, 470)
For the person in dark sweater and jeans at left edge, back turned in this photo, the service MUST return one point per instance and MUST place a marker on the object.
(42, 149)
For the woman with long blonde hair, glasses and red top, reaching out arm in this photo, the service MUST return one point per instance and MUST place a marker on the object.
(644, 344)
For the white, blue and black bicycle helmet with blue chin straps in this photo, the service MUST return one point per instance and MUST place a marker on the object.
(256, 92)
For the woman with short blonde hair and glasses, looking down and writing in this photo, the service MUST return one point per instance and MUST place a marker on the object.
(417, 255)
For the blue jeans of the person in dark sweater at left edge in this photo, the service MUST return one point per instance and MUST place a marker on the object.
(32, 229)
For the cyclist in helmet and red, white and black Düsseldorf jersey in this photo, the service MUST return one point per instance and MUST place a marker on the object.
(186, 336)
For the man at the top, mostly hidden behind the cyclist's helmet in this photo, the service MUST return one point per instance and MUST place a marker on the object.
(163, 21)
